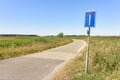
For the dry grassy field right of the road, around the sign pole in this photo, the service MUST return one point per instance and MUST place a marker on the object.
(104, 62)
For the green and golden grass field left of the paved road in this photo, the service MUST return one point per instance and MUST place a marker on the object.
(22, 45)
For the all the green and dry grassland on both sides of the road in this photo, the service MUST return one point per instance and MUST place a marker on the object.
(104, 57)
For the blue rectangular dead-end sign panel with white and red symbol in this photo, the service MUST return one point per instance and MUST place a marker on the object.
(90, 19)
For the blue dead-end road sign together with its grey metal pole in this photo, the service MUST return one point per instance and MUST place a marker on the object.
(89, 22)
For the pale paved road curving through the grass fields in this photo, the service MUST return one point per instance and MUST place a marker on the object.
(38, 66)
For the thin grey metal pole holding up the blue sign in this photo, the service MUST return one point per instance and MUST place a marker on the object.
(87, 53)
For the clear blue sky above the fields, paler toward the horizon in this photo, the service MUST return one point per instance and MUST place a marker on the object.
(49, 17)
